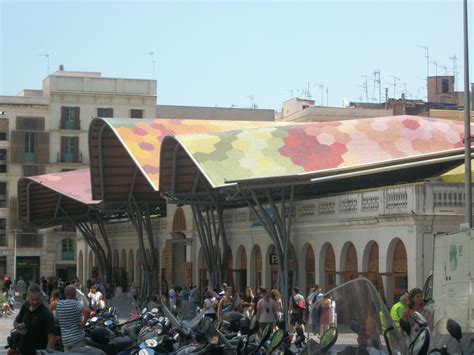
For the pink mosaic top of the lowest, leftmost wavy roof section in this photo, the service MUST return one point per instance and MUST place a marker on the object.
(74, 184)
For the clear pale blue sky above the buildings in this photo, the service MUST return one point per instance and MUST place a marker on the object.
(237, 54)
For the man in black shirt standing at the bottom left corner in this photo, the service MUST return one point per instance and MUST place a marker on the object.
(35, 323)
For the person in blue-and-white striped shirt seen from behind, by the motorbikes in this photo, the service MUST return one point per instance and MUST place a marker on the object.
(72, 315)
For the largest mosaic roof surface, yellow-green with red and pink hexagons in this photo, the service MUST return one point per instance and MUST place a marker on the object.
(266, 152)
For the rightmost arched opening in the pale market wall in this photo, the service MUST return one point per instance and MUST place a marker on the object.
(397, 269)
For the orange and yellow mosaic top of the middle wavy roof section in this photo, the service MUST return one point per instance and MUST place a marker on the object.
(142, 138)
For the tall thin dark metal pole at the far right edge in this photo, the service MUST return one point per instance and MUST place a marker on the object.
(467, 124)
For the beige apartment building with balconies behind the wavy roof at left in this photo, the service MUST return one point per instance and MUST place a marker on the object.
(45, 131)
